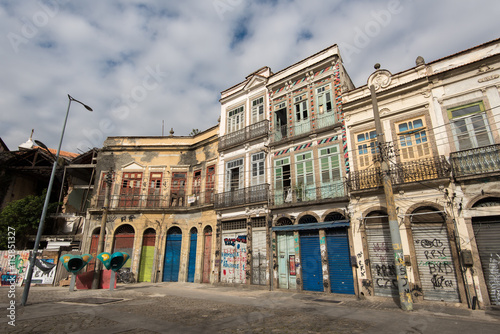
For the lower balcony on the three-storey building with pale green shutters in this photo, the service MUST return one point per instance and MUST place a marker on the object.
(289, 196)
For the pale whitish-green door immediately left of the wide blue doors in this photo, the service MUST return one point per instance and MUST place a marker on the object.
(287, 278)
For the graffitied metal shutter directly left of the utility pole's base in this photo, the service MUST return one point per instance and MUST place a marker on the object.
(382, 266)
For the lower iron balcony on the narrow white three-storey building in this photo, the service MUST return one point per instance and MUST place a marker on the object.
(242, 196)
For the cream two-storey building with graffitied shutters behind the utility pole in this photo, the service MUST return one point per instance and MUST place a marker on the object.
(439, 122)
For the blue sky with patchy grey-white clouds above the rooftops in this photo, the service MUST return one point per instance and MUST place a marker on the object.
(145, 67)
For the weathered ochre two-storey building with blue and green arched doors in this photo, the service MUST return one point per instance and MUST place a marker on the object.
(161, 205)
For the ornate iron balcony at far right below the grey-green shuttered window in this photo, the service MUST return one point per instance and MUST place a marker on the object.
(476, 161)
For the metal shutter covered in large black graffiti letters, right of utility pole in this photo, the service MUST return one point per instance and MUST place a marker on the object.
(435, 263)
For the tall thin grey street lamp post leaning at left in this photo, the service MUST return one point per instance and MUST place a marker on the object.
(45, 207)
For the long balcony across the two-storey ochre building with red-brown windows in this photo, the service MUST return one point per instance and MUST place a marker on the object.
(156, 201)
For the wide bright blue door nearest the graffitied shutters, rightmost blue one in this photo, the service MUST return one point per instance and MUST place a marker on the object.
(339, 264)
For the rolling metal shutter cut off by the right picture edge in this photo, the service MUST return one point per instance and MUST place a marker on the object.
(488, 243)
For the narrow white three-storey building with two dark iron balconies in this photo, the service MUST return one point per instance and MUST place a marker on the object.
(243, 187)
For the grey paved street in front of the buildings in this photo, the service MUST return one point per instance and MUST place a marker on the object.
(195, 308)
